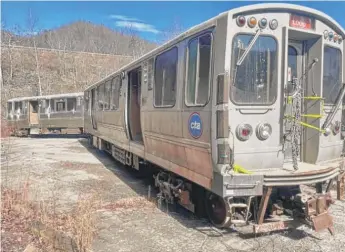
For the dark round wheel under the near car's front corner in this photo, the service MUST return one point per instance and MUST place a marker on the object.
(217, 210)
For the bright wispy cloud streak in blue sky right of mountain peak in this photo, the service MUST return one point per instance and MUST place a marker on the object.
(133, 23)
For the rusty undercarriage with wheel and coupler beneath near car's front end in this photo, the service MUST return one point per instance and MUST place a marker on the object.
(279, 207)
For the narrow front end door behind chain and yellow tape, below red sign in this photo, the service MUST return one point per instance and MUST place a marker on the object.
(292, 146)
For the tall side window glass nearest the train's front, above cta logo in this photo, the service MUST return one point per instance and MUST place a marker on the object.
(199, 70)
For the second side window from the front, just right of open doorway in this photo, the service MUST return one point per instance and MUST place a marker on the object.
(165, 78)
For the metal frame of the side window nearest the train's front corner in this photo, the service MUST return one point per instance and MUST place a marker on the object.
(197, 36)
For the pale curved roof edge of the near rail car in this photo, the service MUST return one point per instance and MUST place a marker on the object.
(240, 10)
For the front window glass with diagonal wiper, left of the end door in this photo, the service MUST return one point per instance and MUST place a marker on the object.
(254, 80)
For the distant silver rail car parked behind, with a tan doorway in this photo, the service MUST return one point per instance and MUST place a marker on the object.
(34, 115)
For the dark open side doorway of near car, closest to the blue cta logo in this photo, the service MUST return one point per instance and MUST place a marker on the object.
(134, 105)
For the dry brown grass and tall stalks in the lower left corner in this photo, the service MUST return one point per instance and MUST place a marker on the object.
(27, 219)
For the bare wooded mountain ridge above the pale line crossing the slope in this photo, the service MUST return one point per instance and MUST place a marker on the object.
(84, 37)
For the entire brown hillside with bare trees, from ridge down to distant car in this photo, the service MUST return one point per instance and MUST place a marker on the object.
(64, 60)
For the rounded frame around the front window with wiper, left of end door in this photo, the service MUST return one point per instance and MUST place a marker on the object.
(277, 67)
